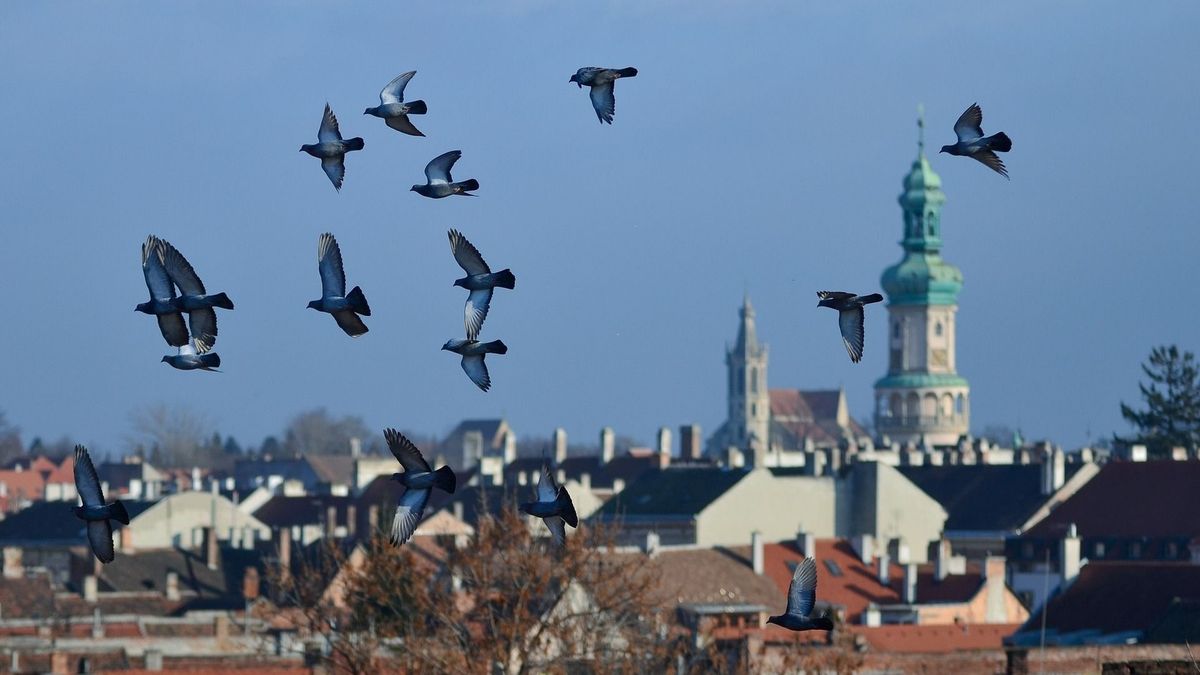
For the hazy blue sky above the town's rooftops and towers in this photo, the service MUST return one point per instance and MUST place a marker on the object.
(760, 148)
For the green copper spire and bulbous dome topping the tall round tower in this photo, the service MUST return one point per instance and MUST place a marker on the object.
(922, 278)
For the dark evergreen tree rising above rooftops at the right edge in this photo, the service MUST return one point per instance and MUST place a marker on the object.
(1173, 403)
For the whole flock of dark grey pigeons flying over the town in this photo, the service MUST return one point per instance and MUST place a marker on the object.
(166, 268)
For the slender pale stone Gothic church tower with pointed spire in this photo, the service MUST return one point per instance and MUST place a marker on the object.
(749, 416)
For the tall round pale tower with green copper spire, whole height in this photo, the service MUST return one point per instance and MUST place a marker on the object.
(922, 401)
